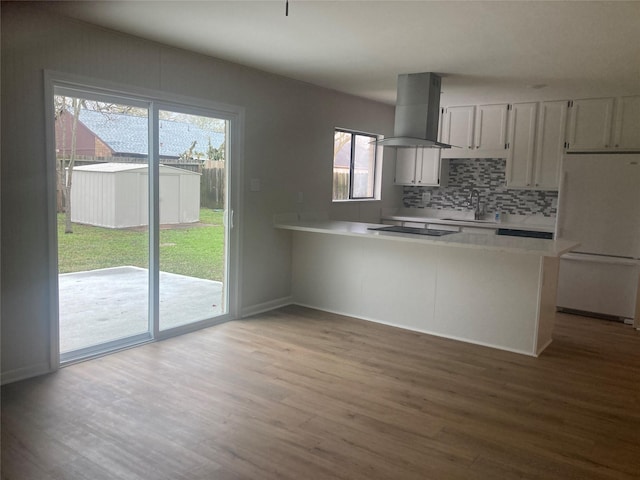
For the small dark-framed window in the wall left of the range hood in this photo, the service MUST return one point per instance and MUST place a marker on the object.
(355, 166)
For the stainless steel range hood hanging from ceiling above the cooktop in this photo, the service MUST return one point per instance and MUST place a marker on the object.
(417, 112)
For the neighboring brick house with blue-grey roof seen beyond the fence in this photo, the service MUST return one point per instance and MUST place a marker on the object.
(120, 135)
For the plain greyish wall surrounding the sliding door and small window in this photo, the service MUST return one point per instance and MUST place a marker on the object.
(288, 145)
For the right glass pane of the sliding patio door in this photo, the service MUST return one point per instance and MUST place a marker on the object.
(193, 202)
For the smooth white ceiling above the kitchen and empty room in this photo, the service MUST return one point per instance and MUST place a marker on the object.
(485, 51)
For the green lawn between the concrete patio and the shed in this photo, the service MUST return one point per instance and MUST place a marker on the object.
(195, 251)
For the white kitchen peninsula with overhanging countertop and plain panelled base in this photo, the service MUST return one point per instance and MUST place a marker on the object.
(486, 289)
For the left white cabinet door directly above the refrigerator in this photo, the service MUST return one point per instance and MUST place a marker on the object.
(590, 124)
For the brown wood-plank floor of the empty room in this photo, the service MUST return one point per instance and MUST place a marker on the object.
(301, 394)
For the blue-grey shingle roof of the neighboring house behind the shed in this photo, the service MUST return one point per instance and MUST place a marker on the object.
(127, 134)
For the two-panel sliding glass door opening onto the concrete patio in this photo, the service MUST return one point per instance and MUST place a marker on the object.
(142, 208)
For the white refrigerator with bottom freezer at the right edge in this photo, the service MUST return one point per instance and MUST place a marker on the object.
(599, 206)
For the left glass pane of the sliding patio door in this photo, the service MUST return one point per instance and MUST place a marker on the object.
(102, 167)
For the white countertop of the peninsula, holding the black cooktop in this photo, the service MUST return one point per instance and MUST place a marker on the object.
(530, 246)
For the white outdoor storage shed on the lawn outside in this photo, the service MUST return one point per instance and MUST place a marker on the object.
(115, 195)
